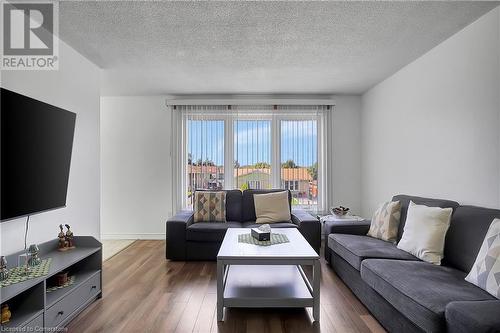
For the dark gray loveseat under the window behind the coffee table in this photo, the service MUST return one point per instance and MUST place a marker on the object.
(201, 241)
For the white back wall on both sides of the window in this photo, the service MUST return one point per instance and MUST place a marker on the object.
(136, 167)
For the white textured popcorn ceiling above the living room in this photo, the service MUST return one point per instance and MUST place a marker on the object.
(256, 47)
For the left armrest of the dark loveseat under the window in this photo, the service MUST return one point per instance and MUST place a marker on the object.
(176, 235)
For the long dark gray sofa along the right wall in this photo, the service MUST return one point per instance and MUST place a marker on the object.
(409, 295)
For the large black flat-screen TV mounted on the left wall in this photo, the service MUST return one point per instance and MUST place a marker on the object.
(36, 144)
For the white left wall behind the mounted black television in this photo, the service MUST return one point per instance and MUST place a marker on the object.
(75, 87)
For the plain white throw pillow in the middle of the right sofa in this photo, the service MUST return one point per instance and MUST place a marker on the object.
(424, 232)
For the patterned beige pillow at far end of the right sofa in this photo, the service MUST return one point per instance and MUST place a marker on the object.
(385, 222)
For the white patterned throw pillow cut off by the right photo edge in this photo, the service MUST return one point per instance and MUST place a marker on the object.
(486, 270)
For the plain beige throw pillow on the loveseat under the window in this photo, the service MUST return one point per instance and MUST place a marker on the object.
(272, 207)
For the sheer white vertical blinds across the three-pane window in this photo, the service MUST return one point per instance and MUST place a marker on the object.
(261, 146)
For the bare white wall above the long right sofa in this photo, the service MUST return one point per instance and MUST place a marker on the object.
(432, 129)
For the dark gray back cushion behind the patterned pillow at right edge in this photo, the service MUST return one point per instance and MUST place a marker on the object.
(467, 230)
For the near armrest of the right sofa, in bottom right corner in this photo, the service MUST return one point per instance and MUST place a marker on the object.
(473, 316)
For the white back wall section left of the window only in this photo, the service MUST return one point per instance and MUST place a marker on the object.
(135, 167)
